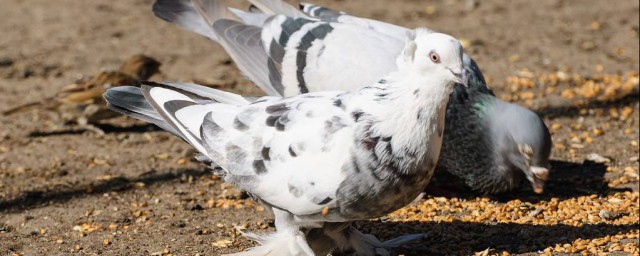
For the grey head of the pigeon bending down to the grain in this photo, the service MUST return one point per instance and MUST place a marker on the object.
(527, 142)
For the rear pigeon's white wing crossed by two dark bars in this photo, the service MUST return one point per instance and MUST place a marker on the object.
(289, 56)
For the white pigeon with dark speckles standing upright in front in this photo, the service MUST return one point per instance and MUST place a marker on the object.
(320, 160)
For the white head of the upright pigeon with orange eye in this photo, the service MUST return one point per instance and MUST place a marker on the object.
(433, 53)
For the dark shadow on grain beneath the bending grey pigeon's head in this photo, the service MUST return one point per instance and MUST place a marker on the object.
(566, 180)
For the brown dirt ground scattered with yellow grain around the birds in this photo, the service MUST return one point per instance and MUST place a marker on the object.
(136, 191)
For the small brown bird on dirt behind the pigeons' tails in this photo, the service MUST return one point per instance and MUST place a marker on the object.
(82, 102)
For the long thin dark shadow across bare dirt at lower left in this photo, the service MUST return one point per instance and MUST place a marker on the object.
(39, 198)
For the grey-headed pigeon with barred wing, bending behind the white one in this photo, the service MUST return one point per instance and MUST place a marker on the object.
(491, 144)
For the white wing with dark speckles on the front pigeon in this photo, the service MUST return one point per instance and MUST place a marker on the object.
(287, 152)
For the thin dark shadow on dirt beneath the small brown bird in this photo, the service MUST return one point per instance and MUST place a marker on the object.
(106, 128)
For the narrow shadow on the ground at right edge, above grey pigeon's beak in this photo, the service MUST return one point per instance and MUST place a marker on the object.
(564, 111)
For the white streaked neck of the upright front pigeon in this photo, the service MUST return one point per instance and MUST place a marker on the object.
(410, 109)
